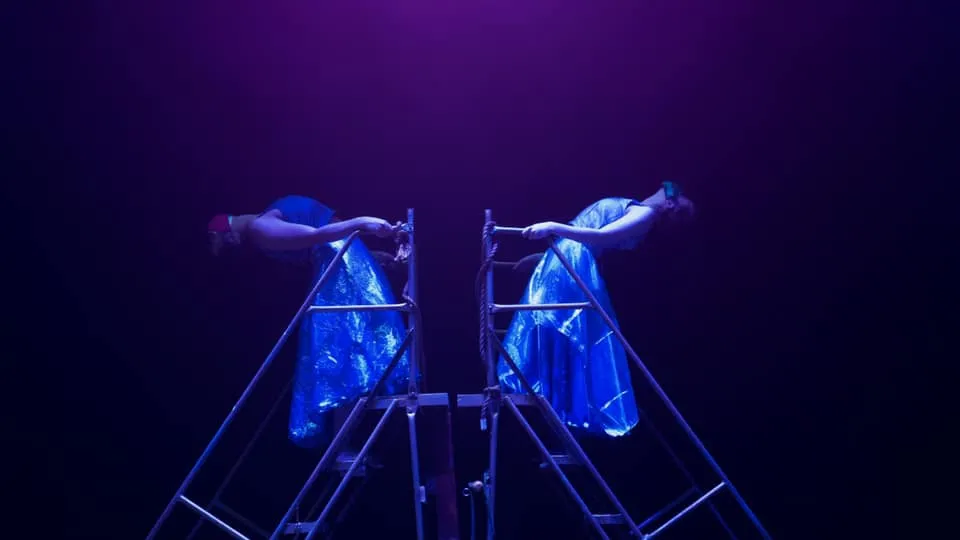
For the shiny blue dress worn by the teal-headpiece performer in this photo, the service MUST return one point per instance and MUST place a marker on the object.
(571, 357)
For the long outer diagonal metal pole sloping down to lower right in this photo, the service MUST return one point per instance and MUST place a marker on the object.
(656, 387)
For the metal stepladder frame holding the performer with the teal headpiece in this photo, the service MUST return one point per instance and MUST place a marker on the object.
(491, 401)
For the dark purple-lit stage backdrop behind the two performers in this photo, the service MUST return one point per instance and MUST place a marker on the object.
(773, 322)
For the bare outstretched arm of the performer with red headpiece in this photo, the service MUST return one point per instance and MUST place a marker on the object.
(272, 233)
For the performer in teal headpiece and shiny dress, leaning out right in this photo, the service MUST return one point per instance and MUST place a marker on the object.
(570, 356)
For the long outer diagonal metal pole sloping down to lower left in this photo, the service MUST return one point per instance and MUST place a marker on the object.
(246, 393)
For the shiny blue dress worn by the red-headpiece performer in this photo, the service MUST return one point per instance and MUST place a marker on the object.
(340, 355)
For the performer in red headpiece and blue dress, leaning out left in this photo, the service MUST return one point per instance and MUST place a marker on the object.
(340, 355)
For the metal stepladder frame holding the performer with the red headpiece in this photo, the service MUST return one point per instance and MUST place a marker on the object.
(371, 401)
